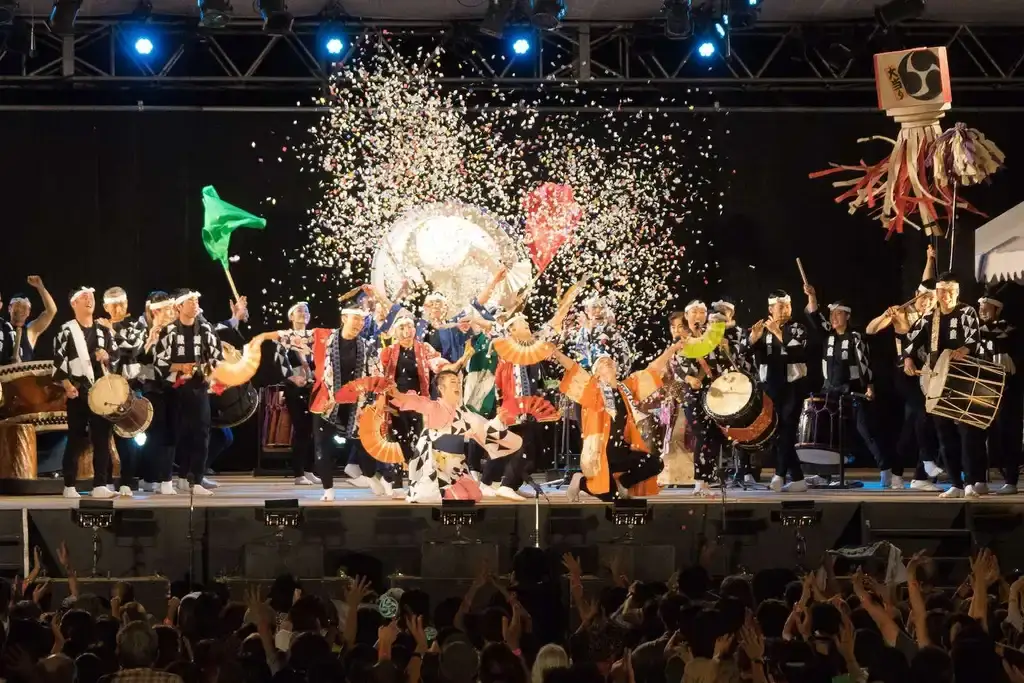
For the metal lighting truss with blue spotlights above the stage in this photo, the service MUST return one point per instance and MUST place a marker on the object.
(827, 64)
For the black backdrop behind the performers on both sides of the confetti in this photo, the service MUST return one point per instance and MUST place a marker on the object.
(114, 199)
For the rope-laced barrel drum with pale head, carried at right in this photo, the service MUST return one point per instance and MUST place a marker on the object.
(967, 392)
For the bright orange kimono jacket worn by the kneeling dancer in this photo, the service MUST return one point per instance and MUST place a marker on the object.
(586, 391)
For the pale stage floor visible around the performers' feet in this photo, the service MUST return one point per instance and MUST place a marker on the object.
(247, 491)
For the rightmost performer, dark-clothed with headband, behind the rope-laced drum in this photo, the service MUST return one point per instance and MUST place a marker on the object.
(999, 339)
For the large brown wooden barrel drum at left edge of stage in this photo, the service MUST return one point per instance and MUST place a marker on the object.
(29, 395)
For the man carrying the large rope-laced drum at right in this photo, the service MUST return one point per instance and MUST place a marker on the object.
(952, 326)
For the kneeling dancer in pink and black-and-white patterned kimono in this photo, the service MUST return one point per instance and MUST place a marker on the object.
(448, 424)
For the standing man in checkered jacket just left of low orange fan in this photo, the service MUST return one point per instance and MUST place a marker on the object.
(186, 356)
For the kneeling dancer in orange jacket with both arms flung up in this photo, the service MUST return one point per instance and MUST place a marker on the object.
(612, 442)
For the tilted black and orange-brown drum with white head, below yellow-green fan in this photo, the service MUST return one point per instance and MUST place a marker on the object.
(742, 410)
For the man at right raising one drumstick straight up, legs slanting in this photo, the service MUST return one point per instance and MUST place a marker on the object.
(846, 367)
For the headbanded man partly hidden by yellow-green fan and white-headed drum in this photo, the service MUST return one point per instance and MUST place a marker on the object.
(699, 374)
